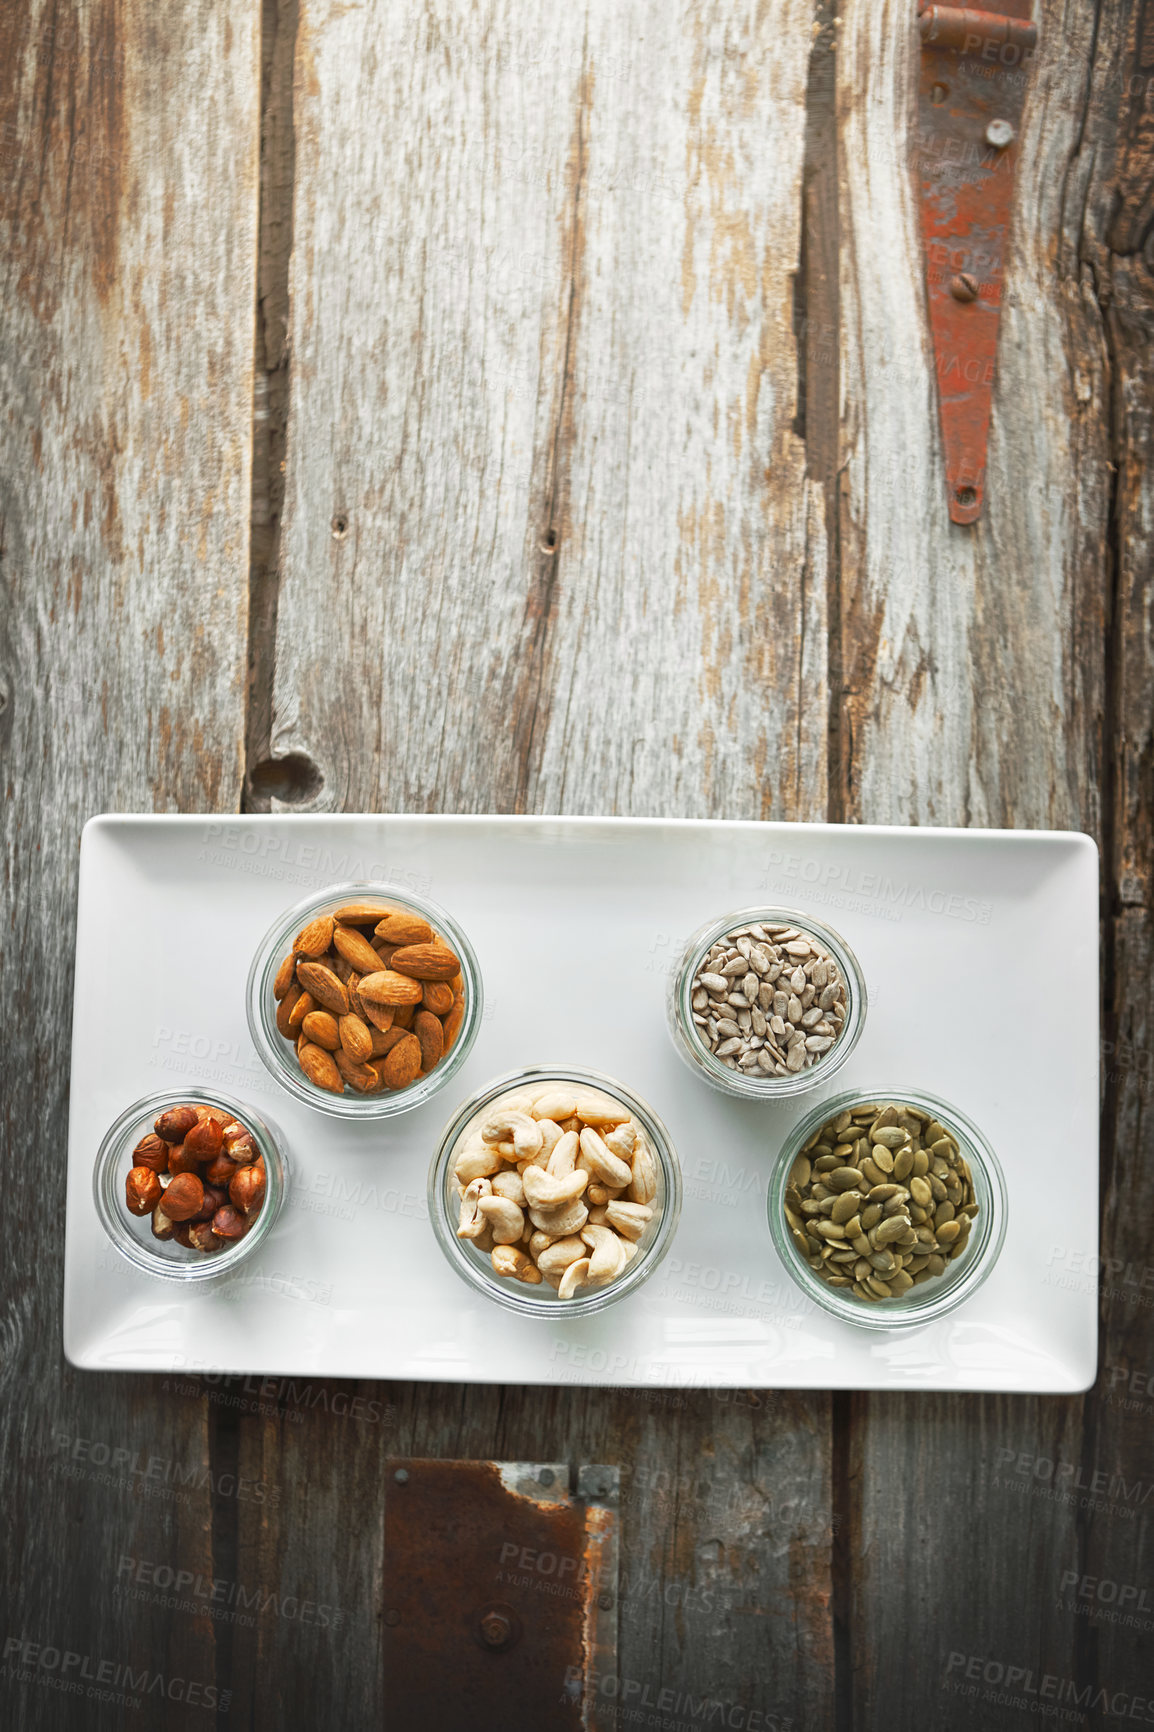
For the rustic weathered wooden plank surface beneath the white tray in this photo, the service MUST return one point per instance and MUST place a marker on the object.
(522, 408)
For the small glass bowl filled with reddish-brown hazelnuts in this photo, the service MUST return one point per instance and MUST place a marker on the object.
(188, 1186)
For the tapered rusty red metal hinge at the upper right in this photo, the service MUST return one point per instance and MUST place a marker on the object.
(971, 98)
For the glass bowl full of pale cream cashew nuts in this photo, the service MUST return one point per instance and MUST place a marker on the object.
(555, 1189)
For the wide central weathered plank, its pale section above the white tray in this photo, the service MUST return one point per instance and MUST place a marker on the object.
(545, 366)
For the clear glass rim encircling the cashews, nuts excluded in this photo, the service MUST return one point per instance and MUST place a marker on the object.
(599, 1298)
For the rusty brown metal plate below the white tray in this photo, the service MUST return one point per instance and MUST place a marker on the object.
(500, 1594)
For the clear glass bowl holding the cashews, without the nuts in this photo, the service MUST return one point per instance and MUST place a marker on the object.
(476, 1267)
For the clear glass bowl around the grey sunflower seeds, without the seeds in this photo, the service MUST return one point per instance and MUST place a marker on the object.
(762, 1085)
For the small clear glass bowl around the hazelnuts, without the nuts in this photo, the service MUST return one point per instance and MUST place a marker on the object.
(133, 1236)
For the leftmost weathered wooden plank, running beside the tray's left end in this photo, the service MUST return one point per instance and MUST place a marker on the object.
(127, 228)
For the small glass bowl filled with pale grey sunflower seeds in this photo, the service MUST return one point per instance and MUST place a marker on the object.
(767, 1004)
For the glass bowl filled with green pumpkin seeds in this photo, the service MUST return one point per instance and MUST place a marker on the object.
(888, 1208)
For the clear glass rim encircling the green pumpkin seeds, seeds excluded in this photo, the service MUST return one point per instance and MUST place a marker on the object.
(898, 1312)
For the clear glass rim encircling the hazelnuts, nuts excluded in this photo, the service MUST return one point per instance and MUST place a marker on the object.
(113, 1146)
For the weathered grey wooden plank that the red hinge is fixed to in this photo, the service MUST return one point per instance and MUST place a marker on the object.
(976, 692)
